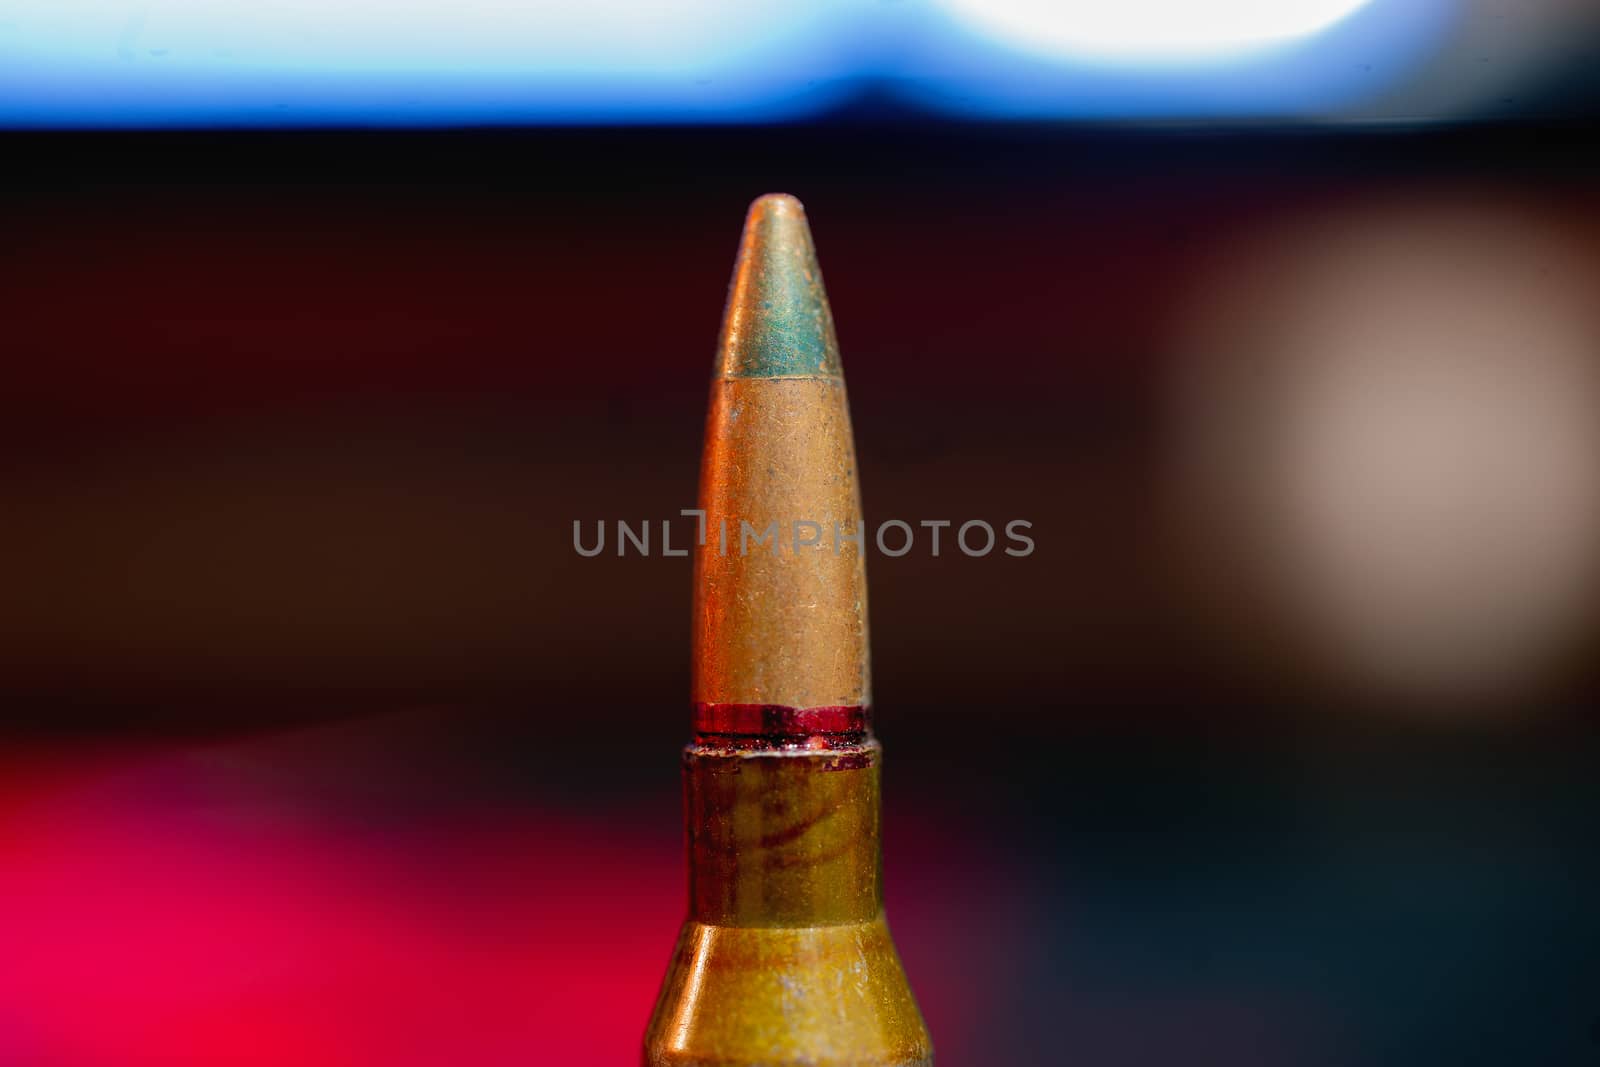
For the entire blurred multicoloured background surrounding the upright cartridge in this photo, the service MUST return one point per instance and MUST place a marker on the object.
(1282, 327)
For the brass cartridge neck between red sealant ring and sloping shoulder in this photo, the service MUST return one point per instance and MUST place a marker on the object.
(783, 833)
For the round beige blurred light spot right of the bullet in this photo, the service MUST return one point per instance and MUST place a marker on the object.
(1394, 423)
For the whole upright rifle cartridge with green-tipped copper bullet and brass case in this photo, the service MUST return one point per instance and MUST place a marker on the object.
(785, 957)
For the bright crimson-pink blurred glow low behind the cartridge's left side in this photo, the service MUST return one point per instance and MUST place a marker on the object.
(167, 911)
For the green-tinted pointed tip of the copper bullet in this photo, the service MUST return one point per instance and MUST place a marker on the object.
(778, 322)
